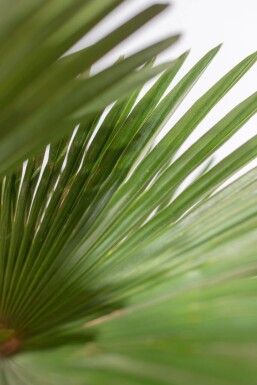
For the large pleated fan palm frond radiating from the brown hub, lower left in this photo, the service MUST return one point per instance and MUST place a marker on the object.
(97, 250)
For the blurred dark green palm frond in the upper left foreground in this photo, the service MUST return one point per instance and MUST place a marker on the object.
(42, 92)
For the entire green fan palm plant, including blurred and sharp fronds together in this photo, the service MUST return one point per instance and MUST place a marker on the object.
(111, 273)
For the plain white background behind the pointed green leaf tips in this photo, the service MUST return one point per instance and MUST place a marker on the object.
(203, 24)
